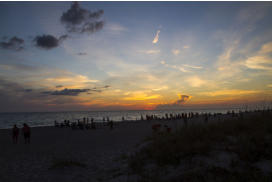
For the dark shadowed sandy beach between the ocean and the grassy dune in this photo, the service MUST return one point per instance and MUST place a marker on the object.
(63, 154)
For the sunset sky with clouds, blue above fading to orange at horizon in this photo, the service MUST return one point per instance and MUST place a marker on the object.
(73, 56)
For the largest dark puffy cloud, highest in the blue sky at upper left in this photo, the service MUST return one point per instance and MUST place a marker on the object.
(80, 20)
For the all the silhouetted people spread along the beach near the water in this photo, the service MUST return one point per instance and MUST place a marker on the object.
(87, 123)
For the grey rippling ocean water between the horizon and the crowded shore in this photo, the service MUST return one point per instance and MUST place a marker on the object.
(36, 119)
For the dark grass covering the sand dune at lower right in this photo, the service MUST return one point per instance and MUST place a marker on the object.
(248, 138)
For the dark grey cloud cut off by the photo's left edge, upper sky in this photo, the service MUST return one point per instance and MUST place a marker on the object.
(13, 43)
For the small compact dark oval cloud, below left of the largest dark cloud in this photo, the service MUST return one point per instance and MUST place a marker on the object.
(49, 41)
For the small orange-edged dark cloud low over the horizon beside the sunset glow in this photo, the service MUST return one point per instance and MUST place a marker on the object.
(177, 104)
